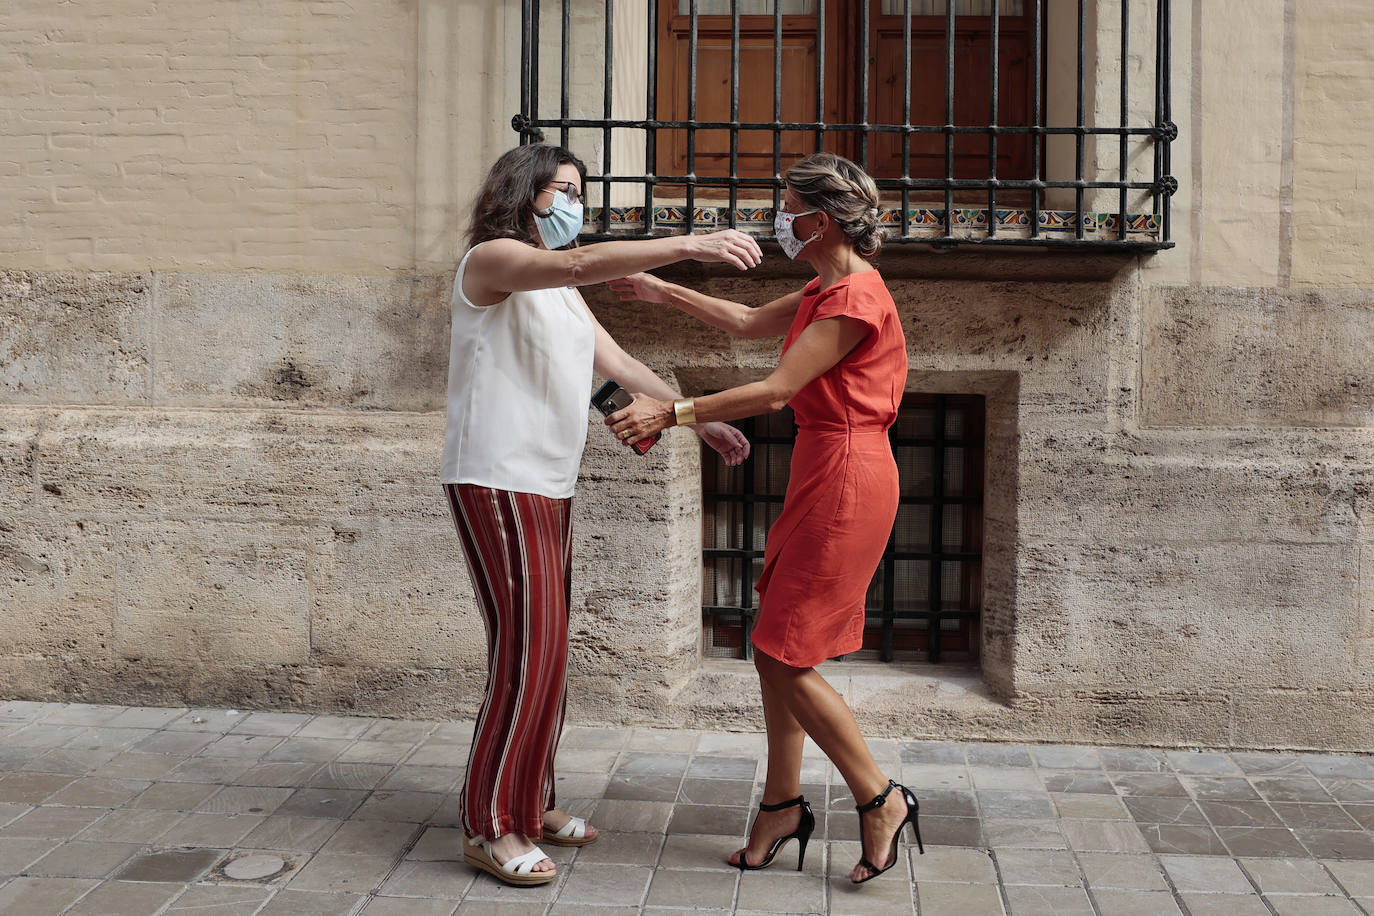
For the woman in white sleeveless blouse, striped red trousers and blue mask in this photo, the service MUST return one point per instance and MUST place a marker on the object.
(524, 348)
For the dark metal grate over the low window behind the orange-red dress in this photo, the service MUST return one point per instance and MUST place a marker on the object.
(925, 598)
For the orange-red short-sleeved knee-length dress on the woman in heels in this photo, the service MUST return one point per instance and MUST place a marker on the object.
(843, 487)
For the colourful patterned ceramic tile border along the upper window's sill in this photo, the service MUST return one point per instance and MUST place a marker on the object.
(924, 223)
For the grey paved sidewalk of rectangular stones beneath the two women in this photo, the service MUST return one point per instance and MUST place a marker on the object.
(215, 812)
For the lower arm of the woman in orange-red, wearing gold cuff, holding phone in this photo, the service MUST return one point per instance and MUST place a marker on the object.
(817, 351)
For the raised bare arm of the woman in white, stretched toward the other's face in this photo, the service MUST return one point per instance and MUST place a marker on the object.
(502, 267)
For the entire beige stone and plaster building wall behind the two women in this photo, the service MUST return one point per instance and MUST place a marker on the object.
(223, 345)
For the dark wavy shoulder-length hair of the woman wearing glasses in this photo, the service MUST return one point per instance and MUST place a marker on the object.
(505, 203)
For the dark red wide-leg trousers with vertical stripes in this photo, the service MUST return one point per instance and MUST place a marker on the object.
(519, 549)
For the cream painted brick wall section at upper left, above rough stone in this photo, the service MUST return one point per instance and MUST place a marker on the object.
(306, 137)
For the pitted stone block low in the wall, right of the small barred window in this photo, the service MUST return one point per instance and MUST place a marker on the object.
(1156, 617)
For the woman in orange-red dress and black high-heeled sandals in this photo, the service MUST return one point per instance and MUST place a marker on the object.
(843, 370)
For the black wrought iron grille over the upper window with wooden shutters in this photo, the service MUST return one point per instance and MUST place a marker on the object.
(1017, 209)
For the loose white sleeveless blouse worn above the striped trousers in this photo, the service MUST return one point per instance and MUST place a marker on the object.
(520, 377)
